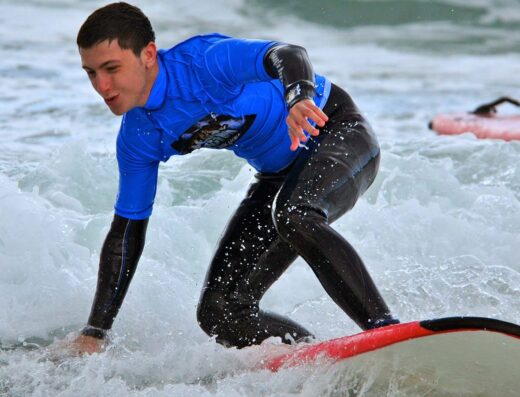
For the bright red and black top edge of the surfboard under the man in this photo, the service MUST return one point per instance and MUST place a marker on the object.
(372, 340)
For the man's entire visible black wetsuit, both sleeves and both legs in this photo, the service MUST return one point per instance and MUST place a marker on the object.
(284, 215)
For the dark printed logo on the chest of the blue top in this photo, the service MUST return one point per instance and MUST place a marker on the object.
(213, 132)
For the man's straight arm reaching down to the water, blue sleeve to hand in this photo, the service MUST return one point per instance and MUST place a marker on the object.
(138, 168)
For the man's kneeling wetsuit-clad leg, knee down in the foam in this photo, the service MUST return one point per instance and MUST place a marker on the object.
(250, 257)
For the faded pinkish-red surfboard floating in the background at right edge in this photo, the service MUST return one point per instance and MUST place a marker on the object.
(484, 122)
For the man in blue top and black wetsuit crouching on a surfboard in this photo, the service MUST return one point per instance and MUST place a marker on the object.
(314, 152)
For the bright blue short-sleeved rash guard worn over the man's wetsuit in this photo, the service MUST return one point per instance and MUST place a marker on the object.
(212, 91)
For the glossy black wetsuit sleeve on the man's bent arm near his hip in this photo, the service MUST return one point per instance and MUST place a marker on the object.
(291, 64)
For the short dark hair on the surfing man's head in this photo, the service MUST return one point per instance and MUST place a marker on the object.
(117, 21)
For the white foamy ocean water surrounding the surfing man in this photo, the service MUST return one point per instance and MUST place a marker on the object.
(439, 229)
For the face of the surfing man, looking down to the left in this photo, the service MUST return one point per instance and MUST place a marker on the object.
(123, 79)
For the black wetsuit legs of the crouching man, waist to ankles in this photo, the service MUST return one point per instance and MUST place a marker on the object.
(289, 214)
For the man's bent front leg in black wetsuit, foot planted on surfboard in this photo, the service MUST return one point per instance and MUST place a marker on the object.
(323, 184)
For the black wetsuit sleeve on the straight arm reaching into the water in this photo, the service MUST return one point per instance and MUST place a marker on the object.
(119, 257)
